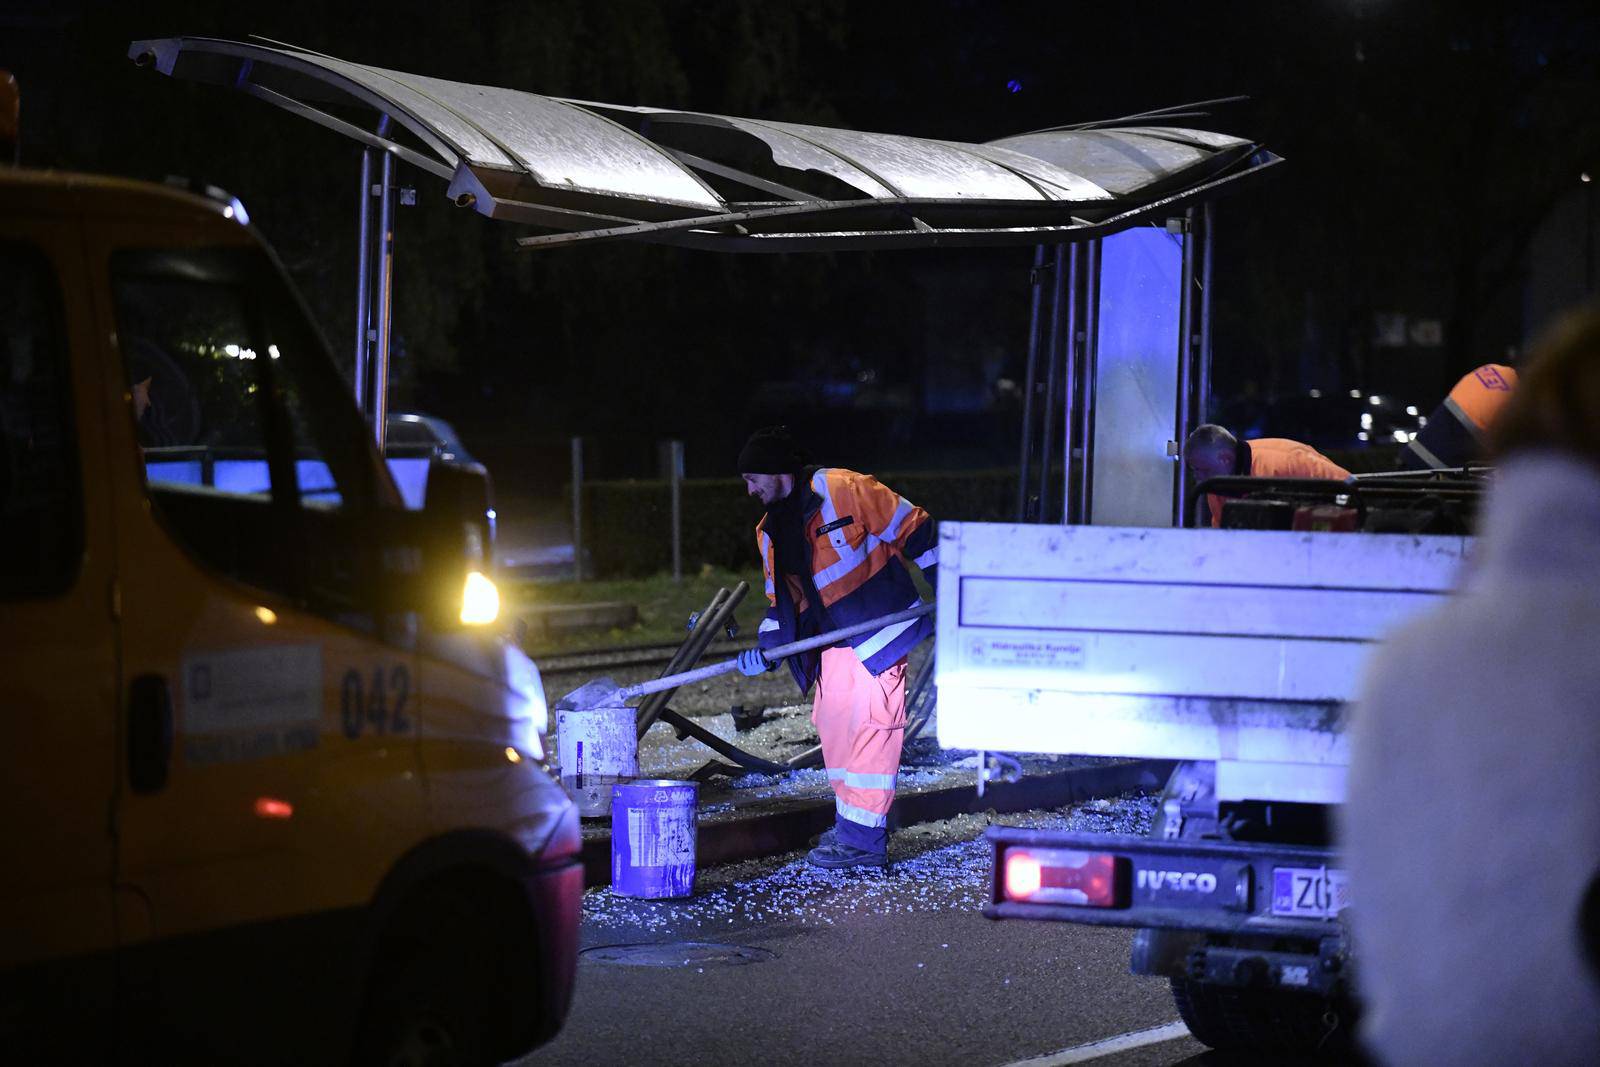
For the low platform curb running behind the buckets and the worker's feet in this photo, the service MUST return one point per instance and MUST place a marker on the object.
(793, 828)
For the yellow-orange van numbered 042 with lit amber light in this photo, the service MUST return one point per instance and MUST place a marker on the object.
(273, 785)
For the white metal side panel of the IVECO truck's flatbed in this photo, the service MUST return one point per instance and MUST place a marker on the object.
(1228, 645)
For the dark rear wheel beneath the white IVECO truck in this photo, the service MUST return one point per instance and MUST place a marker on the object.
(1266, 1021)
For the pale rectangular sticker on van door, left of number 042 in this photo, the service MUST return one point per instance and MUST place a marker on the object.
(252, 703)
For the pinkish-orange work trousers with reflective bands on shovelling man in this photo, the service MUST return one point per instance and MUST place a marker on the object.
(862, 722)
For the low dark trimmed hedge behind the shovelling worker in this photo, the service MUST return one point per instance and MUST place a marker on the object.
(628, 526)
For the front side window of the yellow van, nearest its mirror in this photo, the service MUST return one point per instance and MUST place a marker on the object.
(246, 430)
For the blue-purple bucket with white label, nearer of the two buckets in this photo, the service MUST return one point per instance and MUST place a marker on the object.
(654, 826)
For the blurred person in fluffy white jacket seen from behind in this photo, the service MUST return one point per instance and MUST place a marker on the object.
(1473, 826)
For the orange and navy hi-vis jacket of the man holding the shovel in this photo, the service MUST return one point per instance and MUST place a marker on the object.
(858, 533)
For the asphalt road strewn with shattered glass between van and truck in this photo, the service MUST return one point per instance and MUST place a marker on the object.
(863, 969)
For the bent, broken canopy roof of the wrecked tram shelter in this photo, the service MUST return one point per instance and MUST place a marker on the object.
(590, 172)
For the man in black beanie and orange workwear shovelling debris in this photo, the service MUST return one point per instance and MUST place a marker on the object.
(833, 548)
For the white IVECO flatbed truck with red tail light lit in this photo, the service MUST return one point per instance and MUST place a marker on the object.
(1231, 652)
